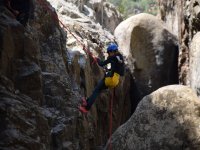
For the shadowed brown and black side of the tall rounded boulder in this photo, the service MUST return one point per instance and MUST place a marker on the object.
(153, 73)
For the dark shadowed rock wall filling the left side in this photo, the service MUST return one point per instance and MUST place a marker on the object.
(35, 109)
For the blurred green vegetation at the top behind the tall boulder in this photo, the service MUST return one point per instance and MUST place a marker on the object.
(130, 7)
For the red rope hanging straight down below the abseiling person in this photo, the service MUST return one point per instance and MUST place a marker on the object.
(111, 109)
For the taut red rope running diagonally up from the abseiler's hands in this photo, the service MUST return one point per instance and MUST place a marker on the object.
(44, 4)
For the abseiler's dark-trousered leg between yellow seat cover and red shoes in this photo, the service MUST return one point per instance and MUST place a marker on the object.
(100, 86)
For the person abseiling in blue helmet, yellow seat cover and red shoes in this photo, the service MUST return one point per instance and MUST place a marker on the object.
(111, 78)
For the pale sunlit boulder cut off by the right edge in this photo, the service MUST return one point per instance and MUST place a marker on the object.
(194, 56)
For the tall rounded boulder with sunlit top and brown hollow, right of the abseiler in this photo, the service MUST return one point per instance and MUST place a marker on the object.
(151, 50)
